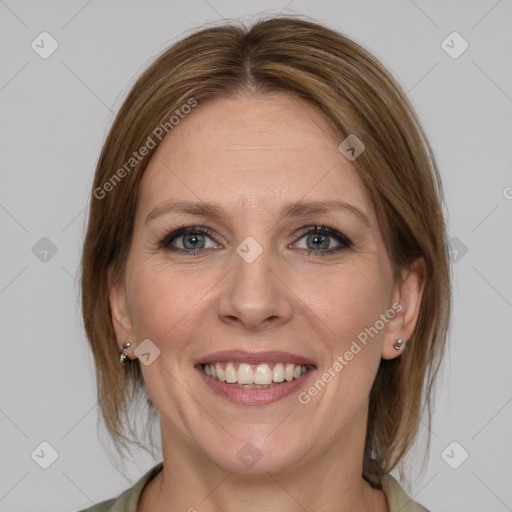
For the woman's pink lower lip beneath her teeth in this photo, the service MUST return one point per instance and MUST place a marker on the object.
(254, 396)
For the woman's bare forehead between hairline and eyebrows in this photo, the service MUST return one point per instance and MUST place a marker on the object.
(255, 152)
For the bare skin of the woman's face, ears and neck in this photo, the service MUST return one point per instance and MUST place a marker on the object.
(253, 155)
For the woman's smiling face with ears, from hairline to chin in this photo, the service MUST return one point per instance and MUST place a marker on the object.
(264, 283)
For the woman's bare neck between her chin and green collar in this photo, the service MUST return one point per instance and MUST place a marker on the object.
(330, 481)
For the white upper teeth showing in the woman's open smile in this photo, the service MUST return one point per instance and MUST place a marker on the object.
(256, 374)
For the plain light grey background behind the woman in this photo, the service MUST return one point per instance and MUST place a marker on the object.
(55, 113)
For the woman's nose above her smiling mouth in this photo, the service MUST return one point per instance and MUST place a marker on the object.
(254, 297)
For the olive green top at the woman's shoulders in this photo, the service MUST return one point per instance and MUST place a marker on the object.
(127, 501)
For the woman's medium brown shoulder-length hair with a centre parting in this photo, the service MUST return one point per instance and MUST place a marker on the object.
(356, 95)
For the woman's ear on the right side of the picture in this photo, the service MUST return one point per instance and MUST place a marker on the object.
(408, 292)
